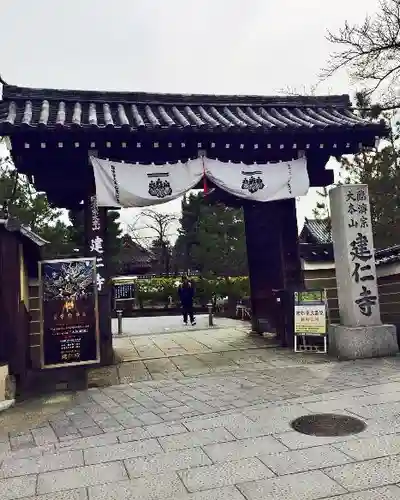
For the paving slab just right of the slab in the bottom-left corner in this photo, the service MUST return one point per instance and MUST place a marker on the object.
(81, 477)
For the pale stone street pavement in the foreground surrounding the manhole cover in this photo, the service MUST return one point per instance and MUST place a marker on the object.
(219, 436)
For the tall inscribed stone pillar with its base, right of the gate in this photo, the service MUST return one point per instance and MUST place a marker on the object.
(360, 333)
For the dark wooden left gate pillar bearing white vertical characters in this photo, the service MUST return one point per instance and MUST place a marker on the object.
(96, 246)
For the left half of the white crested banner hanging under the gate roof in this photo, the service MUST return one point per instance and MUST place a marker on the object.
(133, 185)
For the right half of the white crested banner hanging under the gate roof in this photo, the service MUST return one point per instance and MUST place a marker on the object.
(260, 182)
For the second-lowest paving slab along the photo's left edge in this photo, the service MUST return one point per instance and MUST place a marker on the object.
(43, 463)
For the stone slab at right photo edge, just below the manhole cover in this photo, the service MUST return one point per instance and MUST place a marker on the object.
(365, 449)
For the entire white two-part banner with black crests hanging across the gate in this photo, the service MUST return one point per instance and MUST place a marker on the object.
(134, 185)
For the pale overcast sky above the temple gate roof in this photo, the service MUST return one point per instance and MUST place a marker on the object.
(208, 46)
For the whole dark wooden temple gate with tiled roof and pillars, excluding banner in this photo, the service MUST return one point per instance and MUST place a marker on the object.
(53, 132)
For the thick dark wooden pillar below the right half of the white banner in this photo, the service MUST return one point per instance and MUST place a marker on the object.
(274, 263)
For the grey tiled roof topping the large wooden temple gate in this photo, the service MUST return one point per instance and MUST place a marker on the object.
(50, 108)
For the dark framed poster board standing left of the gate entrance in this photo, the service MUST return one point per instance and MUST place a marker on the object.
(69, 321)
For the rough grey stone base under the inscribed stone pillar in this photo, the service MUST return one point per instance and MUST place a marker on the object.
(347, 342)
